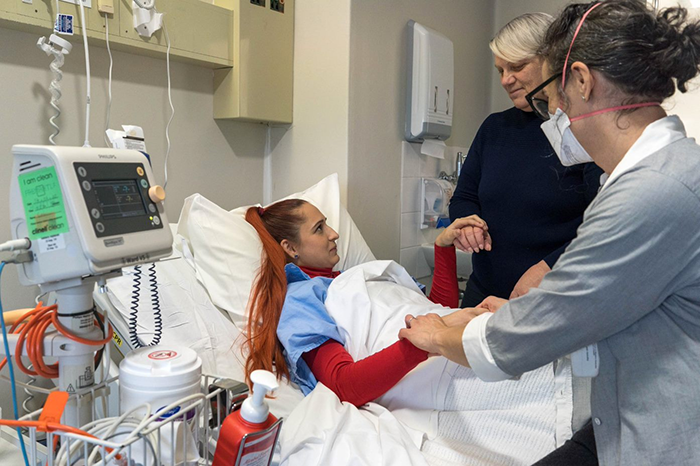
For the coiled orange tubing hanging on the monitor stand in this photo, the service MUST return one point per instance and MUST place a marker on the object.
(32, 327)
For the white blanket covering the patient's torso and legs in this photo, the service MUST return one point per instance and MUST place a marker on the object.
(443, 408)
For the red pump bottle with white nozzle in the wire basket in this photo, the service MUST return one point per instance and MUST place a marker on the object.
(248, 436)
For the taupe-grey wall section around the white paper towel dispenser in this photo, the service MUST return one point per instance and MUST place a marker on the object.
(377, 100)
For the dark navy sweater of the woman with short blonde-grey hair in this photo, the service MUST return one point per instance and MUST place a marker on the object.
(532, 204)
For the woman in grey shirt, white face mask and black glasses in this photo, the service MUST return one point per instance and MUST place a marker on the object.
(630, 280)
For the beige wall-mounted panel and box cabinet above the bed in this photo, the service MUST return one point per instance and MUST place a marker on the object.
(248, 43)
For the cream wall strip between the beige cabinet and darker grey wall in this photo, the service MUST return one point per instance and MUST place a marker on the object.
(316, 144)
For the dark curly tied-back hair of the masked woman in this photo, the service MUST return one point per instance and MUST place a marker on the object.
(645, 54)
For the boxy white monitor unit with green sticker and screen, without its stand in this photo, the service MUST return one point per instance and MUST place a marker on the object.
(86, 211)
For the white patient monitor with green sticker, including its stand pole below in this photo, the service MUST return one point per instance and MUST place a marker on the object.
(86, 212)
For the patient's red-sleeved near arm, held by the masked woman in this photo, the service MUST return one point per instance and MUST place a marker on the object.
(365, 380)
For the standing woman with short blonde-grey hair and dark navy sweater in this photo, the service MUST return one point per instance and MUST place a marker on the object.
(513, 180)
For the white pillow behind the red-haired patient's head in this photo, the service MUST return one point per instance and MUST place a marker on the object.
(227, 249)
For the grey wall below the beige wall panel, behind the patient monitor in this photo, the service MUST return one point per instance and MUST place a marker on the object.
(221, 160)
